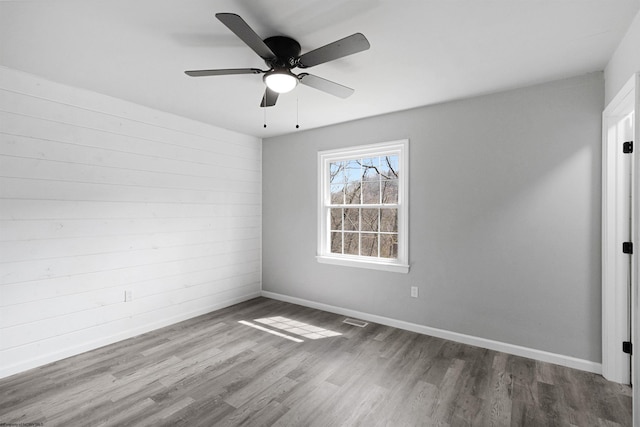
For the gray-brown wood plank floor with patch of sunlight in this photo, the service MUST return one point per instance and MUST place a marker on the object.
(215, 371)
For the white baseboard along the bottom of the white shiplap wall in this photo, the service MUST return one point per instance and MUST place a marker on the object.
(40, 360)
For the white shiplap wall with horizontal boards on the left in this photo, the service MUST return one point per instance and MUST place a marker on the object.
(99, 196)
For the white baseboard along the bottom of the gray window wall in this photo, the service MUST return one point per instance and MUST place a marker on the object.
(543, 356)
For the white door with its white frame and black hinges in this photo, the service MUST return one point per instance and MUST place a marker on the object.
(619, 278)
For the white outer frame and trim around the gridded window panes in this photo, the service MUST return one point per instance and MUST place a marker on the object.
(325, 158)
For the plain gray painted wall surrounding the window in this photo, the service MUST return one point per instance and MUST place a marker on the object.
(504, 217)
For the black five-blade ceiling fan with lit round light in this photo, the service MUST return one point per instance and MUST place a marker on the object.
(282, 54)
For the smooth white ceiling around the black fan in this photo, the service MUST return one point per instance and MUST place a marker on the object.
(422, 52)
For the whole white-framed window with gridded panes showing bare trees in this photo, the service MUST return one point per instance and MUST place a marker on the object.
(363, 206)
